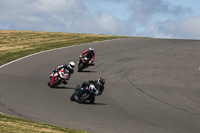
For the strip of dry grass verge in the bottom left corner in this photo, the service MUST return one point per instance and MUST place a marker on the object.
(10, 124)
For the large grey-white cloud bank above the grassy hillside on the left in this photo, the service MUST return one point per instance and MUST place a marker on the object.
(60, 16)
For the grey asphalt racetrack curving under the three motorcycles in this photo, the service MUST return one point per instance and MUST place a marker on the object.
(152, 86)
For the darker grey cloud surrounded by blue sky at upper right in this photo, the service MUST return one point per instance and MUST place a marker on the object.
(143, 11)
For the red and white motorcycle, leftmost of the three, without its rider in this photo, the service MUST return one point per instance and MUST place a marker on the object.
(58, 77)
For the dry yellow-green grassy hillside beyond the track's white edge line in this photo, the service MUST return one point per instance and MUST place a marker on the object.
(16, 44)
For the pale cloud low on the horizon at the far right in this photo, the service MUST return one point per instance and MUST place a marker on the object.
(187, 28)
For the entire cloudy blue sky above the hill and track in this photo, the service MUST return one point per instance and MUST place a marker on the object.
(173, 19)
